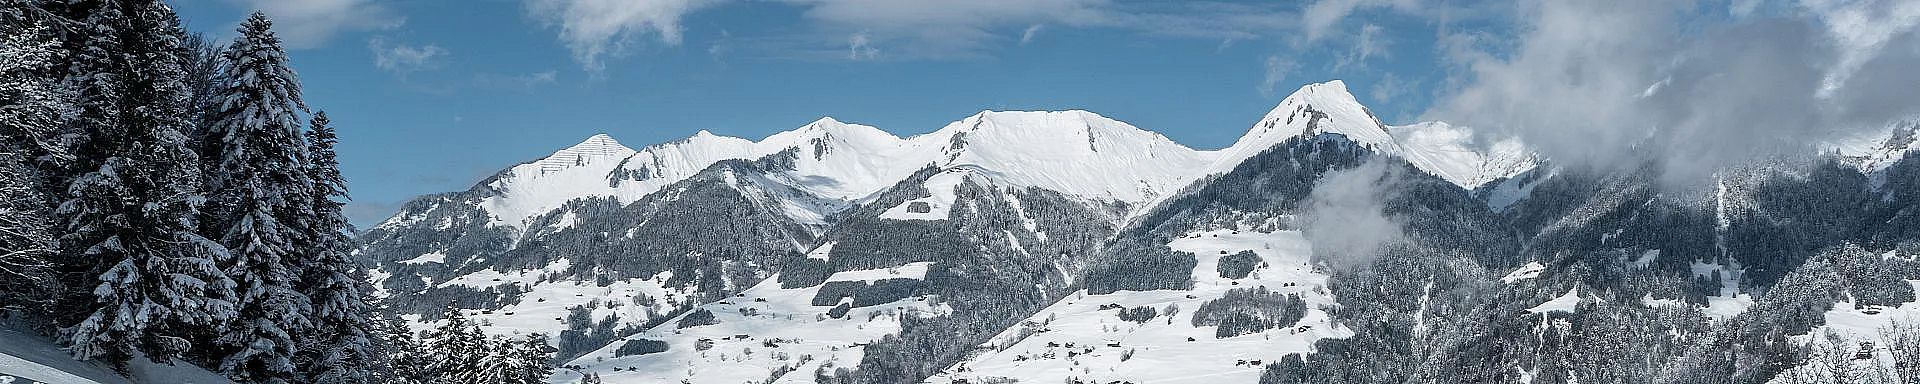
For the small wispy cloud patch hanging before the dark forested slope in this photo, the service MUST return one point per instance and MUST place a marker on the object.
(1347, 216)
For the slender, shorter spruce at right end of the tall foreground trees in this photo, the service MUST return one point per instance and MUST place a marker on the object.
(341, 345)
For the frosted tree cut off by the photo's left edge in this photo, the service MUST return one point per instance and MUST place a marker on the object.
(32, 107)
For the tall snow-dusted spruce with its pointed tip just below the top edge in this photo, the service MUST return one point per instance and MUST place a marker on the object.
(258, 201)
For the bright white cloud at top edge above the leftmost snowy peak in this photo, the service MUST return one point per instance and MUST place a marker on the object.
(602, 30)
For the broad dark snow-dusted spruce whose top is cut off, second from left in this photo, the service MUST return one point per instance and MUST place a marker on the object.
(130, 216)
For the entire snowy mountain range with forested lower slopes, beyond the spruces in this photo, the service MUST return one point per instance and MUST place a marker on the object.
(1045, 247)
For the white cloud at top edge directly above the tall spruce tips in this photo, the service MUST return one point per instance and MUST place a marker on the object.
(310, 24)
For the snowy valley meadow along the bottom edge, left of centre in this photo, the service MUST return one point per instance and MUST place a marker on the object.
(763, 335)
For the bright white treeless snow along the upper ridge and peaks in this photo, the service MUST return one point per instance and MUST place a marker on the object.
(1074, 153)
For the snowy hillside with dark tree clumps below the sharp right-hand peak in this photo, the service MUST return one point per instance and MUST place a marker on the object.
(1076, 337)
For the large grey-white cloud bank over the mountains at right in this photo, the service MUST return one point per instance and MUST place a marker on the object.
(1610, 84)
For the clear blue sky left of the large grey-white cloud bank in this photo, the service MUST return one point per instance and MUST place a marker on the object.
(431, 97)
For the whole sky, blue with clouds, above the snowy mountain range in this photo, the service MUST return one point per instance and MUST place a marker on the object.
(435, 95)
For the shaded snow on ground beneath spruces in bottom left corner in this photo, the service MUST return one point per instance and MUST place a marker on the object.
(26, 356)
